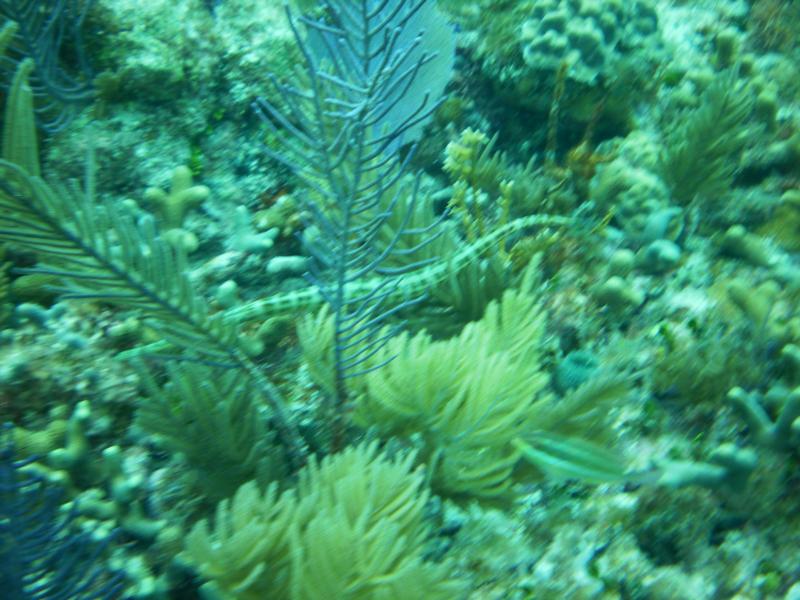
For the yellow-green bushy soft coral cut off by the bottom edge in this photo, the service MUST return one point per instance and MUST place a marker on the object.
(353, 530)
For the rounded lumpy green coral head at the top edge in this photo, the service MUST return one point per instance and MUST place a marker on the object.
(525, 44)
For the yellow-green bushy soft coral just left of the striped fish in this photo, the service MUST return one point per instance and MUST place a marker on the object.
(467, 397)
